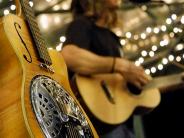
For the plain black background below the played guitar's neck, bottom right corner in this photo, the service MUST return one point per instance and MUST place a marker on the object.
(167, 120)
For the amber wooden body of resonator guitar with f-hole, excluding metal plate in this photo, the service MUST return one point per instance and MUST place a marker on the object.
(18, 66)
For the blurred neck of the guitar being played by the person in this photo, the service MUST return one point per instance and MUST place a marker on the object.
(166, 82)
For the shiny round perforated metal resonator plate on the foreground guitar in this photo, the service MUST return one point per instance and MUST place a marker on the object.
(56, 111)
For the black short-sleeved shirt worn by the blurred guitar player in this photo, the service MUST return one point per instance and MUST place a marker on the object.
(85, 34)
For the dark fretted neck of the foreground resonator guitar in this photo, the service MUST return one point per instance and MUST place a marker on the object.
(35, 31)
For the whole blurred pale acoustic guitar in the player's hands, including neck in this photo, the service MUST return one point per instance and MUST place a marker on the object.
(111, 100)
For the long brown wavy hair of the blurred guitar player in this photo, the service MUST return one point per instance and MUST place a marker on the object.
(94, 9)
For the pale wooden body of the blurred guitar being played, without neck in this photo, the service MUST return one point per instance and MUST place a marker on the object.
(124, 104)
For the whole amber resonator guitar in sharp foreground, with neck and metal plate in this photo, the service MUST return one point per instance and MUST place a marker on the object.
(36, 99)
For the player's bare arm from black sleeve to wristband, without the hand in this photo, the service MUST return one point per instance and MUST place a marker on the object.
(85, 62)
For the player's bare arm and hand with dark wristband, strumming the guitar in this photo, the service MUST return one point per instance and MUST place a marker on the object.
(85, 62)
